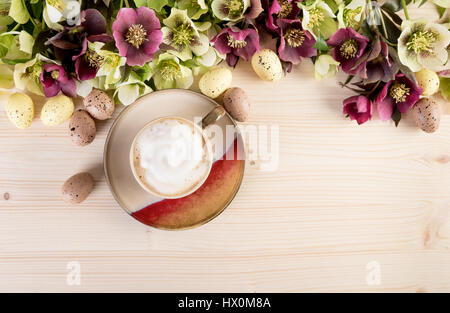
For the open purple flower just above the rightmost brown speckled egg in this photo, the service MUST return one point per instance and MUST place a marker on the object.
(401, 92)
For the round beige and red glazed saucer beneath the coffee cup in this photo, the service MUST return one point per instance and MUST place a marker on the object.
(205, 203)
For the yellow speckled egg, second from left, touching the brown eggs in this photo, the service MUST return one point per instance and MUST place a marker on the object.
(57, 110)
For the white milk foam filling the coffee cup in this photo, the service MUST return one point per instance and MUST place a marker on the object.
(171, 157)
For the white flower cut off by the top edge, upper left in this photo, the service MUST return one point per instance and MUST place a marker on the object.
(67, 9)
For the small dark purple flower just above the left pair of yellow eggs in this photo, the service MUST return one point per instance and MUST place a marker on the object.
(55, 79)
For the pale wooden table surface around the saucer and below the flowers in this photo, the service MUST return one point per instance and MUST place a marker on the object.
(348, 209)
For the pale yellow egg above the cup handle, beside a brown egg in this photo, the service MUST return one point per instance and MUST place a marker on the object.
(215, 82)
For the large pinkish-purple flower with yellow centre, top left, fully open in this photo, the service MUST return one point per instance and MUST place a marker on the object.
(138, 34)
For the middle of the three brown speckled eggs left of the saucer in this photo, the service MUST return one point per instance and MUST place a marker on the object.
(82, 128)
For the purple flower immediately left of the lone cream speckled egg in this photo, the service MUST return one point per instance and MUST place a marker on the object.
(236, 43)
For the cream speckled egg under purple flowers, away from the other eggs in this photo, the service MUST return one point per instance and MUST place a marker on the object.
(267, 65)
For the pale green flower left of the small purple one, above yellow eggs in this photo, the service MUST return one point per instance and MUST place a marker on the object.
(26, 75)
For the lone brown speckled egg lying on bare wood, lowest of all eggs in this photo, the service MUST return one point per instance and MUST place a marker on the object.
(77, 188)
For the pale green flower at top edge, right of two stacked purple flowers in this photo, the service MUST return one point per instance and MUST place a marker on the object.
(318, 18)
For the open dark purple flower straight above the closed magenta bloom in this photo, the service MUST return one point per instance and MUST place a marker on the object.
(349, 47)
